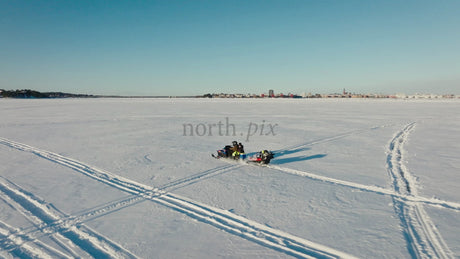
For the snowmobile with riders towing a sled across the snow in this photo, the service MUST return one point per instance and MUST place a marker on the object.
(236, 151)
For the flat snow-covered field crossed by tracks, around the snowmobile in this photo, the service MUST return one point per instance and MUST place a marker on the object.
(125, 178)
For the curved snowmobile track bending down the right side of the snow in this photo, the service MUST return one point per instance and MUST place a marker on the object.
(422, 236)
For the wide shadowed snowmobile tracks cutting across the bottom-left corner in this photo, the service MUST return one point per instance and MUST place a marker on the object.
(74, 239)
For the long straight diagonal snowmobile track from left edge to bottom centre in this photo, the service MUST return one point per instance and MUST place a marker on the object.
(219, 218)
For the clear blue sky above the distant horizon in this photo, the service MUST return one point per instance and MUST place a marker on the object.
(197, 47)
